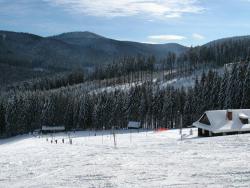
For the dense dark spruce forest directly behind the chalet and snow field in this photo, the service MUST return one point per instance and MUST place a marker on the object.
(154, 106)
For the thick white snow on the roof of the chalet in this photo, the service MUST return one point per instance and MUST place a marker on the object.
(220, 123)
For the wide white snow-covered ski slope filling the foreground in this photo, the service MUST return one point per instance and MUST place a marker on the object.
(153, 159)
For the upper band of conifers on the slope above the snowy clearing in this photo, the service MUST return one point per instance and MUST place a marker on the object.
(135, 69)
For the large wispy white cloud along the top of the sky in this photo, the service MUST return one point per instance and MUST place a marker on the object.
(120, 8)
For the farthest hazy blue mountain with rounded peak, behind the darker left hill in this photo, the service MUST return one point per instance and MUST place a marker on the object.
(115, 48)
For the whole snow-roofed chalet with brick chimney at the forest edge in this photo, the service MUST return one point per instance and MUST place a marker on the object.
(223, 122)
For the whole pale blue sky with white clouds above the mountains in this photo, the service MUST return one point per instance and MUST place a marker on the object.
(188, 22)
